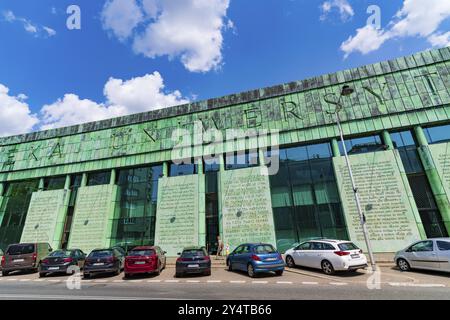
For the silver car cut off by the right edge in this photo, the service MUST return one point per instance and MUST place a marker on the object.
(431, 254)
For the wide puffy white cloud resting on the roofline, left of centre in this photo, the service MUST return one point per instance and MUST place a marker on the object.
(122, 97)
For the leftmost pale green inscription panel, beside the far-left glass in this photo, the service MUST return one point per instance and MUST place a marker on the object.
(46, 210)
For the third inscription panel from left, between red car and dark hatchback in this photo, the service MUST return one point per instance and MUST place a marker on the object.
(177, 213)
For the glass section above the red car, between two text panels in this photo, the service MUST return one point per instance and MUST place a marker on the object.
(138, 192)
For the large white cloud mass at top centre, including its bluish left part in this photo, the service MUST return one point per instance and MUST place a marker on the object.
(187, 29)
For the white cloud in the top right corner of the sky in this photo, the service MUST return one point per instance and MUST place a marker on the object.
(417, 18)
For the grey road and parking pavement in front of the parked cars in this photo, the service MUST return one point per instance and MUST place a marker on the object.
(295, 283)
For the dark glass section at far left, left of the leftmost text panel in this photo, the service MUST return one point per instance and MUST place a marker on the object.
(14, 210)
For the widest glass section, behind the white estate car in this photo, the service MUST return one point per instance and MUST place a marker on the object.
(305, 198)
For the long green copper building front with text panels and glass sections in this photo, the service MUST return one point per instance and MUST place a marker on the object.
(120, 185)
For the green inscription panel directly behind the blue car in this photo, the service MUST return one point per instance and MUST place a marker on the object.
(246, 207)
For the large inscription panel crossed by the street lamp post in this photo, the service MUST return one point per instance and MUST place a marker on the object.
(390, 217)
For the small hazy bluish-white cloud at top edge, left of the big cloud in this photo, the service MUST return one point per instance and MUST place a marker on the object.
(121, 17)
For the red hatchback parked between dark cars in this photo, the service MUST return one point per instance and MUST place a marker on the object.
(145, 259)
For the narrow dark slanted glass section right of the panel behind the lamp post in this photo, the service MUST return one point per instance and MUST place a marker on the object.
(423, 196)
